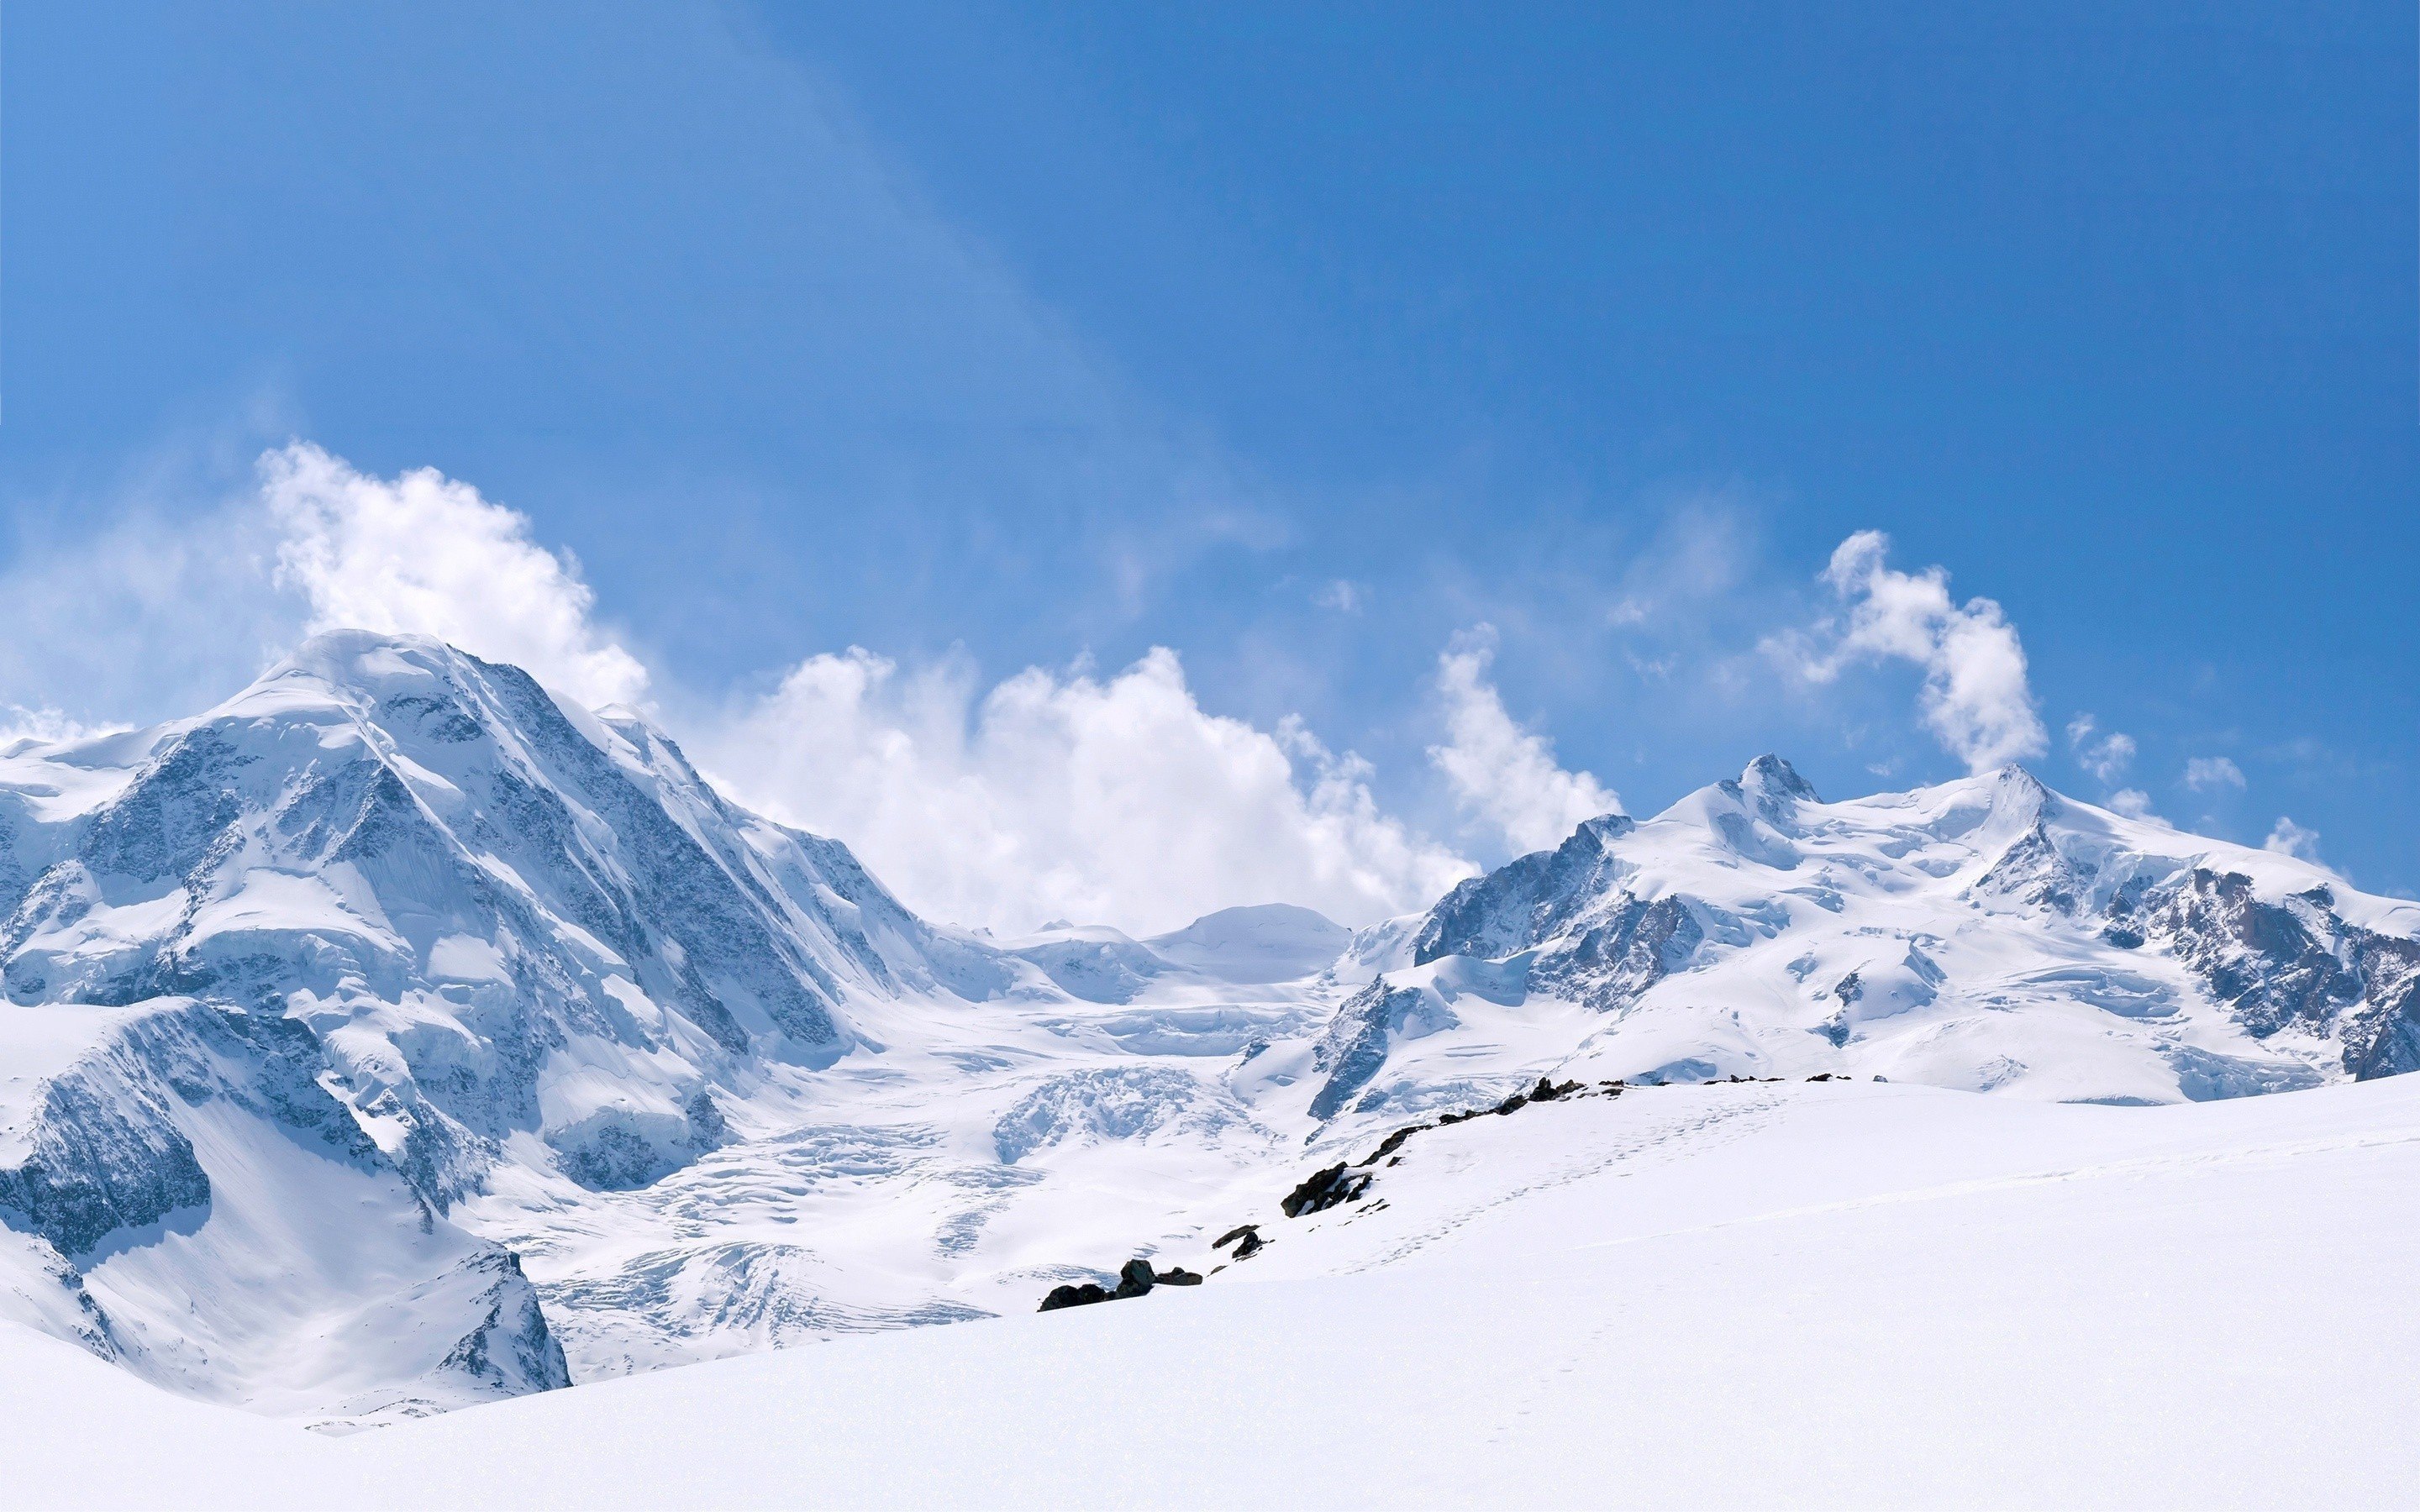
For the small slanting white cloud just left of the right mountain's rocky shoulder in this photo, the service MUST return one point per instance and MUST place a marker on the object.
(1499, 771)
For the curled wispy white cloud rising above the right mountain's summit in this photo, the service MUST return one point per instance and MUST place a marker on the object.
(1976, 696)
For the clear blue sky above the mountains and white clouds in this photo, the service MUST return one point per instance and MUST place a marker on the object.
(1296, 340)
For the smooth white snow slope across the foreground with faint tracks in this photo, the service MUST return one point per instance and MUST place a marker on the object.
(1688, 1295)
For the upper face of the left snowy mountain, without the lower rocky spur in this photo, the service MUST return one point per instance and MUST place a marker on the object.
(495, 913)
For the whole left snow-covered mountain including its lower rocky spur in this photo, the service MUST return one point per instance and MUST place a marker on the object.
(294, 979)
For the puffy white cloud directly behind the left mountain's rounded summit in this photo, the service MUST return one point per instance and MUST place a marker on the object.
(427, 555)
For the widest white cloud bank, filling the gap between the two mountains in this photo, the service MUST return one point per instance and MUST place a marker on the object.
(1100, 800)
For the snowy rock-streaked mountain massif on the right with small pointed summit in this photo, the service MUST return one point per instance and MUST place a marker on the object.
(1986, 935)
